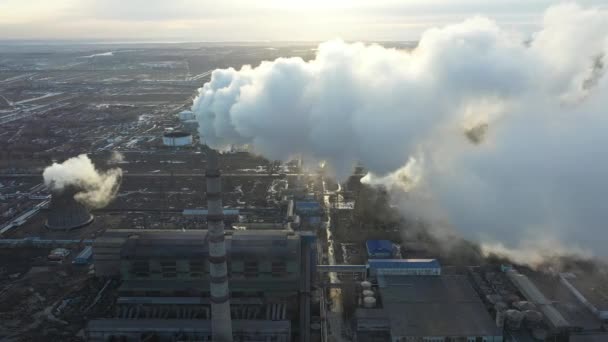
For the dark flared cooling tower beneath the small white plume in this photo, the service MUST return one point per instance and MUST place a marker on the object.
(65, 213)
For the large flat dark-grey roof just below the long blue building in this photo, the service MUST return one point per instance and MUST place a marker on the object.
(435, 306)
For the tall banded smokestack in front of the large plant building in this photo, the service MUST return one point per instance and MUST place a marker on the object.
(221, 323)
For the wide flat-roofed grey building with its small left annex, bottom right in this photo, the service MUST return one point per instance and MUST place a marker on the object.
(421, 308)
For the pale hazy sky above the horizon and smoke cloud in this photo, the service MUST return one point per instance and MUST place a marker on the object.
(260, 20)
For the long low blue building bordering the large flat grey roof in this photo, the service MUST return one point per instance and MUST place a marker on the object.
(403, 267)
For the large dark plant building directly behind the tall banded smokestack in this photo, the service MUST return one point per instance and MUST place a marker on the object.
(165, 274)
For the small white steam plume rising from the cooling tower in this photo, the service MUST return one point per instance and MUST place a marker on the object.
(95, 188)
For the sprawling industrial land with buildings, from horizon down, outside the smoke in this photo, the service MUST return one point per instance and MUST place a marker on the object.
(306, 256)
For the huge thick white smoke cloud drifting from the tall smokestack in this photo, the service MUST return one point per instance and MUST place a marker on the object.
(498, 135)
